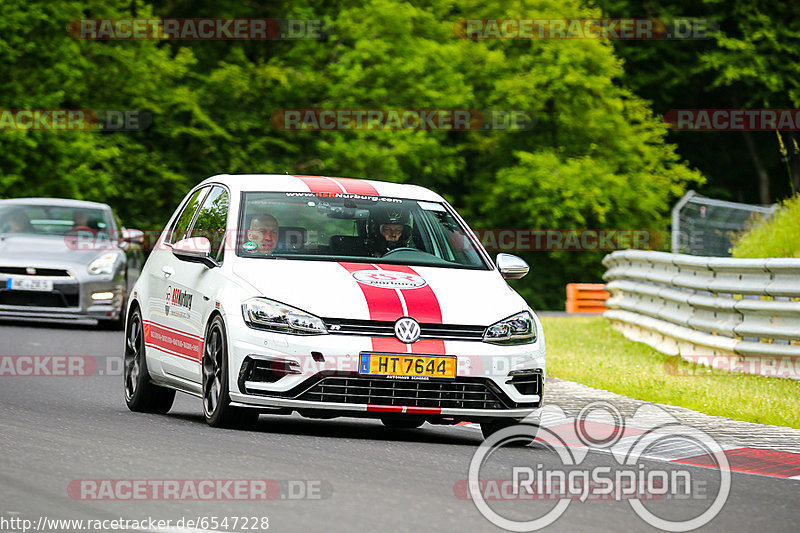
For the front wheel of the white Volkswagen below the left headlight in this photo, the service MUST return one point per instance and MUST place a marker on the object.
(217, 407)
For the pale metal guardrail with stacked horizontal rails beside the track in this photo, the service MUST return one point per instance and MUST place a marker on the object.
(706, 306)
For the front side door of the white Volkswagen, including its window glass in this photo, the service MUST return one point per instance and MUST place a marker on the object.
(191, 287)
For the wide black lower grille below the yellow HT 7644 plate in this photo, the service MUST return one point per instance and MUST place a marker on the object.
(458, 394)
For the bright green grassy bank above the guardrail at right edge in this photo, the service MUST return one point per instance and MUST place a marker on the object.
(778, 236)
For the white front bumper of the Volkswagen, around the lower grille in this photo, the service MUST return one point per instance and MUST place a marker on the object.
(326, 384)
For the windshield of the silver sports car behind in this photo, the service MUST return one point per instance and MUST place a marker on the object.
(51, 220)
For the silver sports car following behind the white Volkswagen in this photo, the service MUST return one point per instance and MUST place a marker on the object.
(65, 259)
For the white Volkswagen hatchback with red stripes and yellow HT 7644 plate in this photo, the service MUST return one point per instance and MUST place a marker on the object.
(330, 297)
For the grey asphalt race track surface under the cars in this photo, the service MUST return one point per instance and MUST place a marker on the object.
(333, 475)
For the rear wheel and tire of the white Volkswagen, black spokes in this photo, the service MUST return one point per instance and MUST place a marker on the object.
(141, 395)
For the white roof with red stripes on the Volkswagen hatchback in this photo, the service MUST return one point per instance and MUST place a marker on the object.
(296, 183)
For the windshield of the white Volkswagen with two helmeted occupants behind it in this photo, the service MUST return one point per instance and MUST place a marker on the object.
(349, 227)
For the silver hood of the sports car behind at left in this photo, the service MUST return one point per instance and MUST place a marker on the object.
(46, 251)
